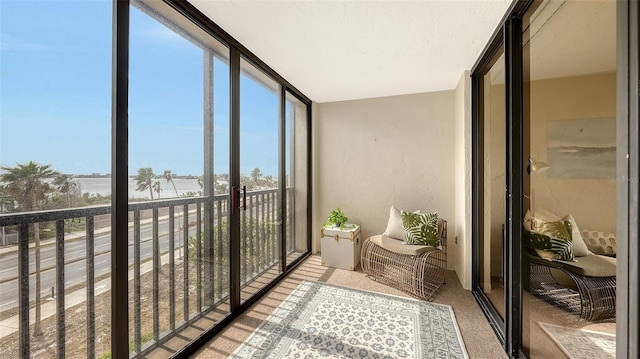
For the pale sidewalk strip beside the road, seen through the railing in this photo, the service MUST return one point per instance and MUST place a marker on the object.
(11, 325)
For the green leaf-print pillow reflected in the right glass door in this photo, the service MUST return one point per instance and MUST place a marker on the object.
(552, 240)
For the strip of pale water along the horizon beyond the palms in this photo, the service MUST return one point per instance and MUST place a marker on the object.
(102, 186)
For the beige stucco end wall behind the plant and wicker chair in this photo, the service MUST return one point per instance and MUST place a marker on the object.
(373, 153)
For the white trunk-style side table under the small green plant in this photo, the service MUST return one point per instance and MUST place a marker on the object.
(341, 247)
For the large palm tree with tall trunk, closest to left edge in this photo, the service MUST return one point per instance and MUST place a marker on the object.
(27, 183)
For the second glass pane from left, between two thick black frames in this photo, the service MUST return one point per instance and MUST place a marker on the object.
(178, 205)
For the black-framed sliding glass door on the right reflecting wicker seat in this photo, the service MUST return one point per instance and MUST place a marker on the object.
(557, 152)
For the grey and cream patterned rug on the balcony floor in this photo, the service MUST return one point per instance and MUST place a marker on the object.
(320, 320)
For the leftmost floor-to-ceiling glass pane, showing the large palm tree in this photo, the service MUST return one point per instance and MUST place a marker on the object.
(55, 182)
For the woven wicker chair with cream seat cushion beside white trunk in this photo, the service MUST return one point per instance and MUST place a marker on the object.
(416, 269)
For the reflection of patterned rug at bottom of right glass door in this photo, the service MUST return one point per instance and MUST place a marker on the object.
(581, 343)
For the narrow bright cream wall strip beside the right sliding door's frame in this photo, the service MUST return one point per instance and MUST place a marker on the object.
(462, 135)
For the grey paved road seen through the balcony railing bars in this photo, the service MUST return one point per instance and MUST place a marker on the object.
(75, 269)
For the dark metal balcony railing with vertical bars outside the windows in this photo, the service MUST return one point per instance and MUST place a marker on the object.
(157, 248)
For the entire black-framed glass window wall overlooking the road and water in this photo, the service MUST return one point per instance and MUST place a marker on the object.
(147, 247)
